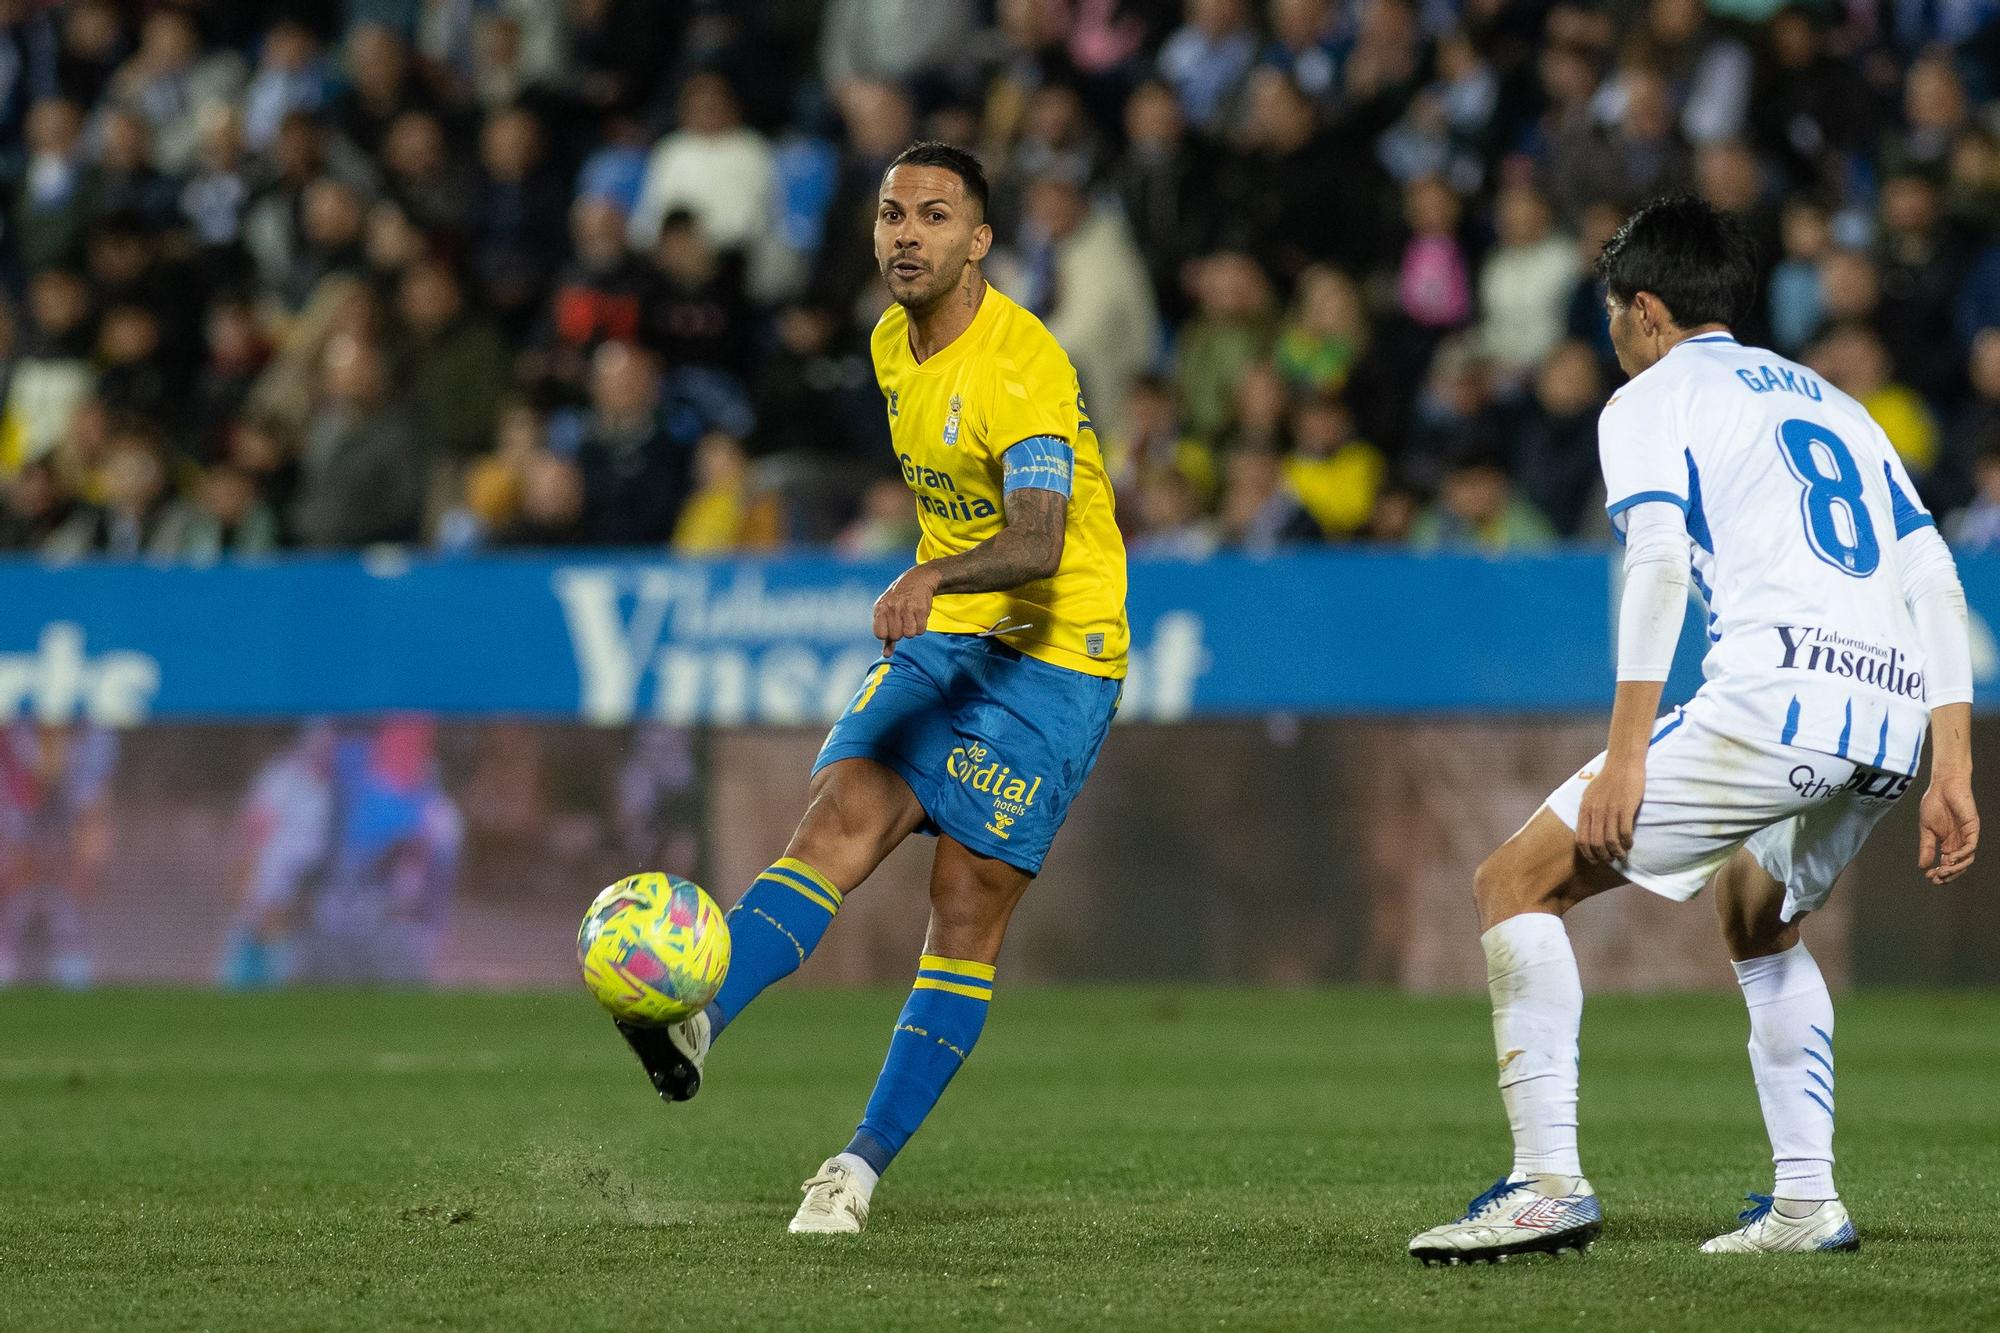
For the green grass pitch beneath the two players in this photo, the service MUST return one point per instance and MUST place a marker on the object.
(1111, 1160)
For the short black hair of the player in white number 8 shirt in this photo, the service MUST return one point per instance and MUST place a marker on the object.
(1697, 259)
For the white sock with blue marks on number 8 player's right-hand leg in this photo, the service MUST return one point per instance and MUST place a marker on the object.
(1793, 1060)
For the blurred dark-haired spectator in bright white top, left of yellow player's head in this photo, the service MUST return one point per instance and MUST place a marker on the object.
(715, 167)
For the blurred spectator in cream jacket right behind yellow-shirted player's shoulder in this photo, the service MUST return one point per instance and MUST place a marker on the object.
(1077, 267)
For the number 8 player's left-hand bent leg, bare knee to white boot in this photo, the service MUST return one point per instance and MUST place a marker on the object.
(1543, 1204)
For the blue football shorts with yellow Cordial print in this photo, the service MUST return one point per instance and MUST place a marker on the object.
(993, 742)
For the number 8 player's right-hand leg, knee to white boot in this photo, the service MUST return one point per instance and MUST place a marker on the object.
(1793, 1060)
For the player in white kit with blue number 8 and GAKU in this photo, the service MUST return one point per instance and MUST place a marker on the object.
(1837, 637)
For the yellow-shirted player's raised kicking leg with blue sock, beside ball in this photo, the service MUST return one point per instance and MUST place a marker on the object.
(857, 816)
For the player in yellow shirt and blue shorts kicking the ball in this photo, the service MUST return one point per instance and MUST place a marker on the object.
(1003, 655)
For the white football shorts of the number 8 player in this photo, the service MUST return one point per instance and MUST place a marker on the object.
(1801, 814)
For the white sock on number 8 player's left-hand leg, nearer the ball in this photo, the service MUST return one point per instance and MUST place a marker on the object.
(1539, 1008)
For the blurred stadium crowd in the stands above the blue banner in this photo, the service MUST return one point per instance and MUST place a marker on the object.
(537, 273)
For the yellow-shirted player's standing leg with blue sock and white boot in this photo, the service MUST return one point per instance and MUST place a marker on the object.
(971, 902)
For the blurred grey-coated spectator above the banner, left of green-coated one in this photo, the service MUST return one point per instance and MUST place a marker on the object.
(365, 465)
